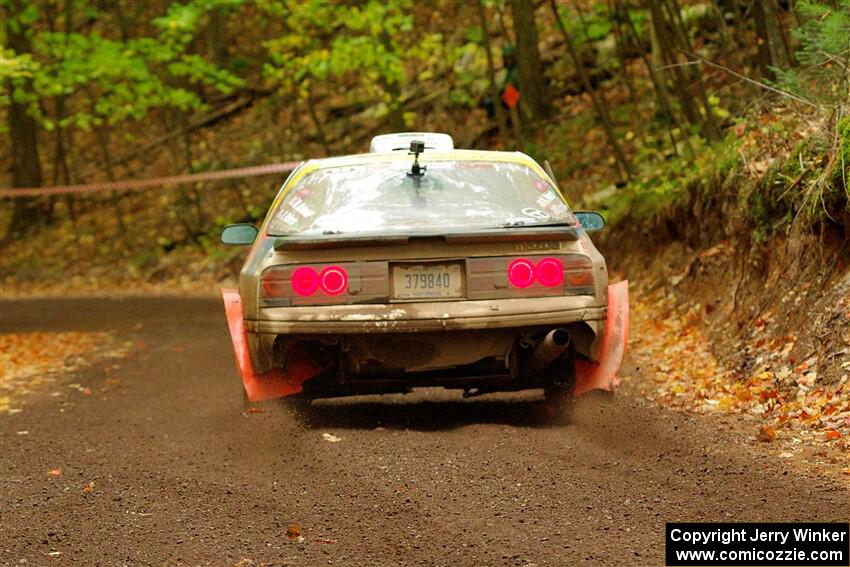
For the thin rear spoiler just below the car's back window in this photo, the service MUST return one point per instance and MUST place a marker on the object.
(499, 235)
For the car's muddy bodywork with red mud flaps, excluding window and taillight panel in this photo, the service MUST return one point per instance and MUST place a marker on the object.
(435, 335)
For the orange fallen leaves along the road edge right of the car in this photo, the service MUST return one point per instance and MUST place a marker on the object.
(678, 370)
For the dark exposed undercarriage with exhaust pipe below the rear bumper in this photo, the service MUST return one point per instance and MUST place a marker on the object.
(476, 361)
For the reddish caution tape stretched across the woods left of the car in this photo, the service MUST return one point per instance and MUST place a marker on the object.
(138, 184)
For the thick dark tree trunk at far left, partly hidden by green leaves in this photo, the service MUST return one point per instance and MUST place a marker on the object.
(23, 130)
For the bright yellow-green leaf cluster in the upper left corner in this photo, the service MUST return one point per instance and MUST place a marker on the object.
(109, 81)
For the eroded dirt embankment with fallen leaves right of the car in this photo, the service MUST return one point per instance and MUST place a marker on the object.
(774, 312)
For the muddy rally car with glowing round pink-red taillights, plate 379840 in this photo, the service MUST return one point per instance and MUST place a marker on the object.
(418, 265)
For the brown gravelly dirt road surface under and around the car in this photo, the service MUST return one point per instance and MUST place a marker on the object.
(182, 477)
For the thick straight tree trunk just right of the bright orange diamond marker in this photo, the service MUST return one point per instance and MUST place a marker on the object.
(532, 85)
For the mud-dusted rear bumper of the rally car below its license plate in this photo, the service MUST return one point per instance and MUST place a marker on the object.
(427, 316)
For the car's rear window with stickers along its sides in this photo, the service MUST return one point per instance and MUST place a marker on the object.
(452, 196)
